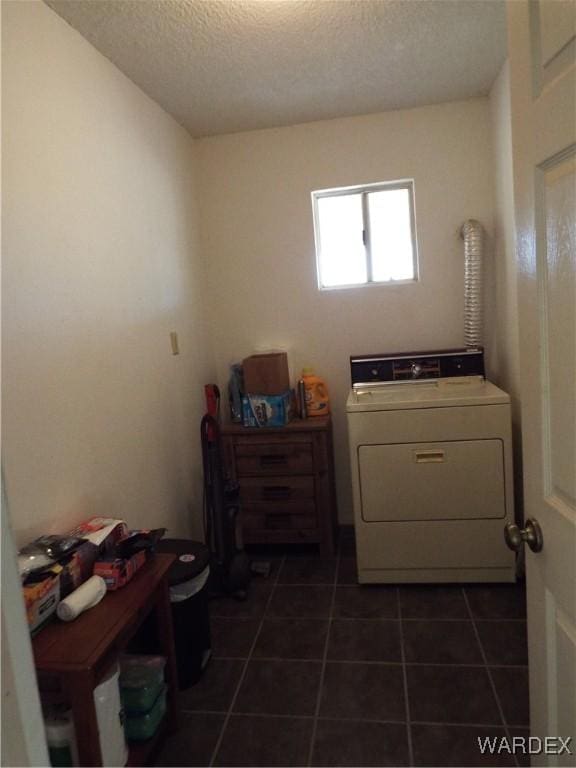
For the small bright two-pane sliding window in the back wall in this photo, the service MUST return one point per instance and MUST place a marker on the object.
(365, 234)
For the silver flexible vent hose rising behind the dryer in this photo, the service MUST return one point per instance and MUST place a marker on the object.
(473, 234)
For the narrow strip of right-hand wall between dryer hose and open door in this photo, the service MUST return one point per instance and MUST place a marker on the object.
(502, 326)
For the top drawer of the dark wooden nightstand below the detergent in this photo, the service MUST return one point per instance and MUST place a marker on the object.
(273, 458)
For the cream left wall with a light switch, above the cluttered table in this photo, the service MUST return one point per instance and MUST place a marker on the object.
(100, 263)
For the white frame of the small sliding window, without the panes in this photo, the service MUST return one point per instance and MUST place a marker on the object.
(363, 190)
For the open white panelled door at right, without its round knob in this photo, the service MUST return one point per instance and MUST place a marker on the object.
(542, 46)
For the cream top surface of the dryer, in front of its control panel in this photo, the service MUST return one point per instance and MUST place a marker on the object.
(438, 393)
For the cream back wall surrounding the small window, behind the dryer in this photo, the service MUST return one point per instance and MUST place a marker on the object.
(257, 236)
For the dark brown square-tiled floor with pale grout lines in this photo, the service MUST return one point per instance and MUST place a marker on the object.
(313, 669)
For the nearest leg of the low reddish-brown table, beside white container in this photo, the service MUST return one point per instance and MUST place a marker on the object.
(80, 689)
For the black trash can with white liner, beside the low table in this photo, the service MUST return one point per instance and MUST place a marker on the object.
(188, 579)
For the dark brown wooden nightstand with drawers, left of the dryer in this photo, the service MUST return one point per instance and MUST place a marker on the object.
(286, 479)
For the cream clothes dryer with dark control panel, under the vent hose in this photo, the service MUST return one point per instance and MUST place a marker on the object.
(431, 454)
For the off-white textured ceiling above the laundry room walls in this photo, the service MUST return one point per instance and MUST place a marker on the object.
(220, 66)
